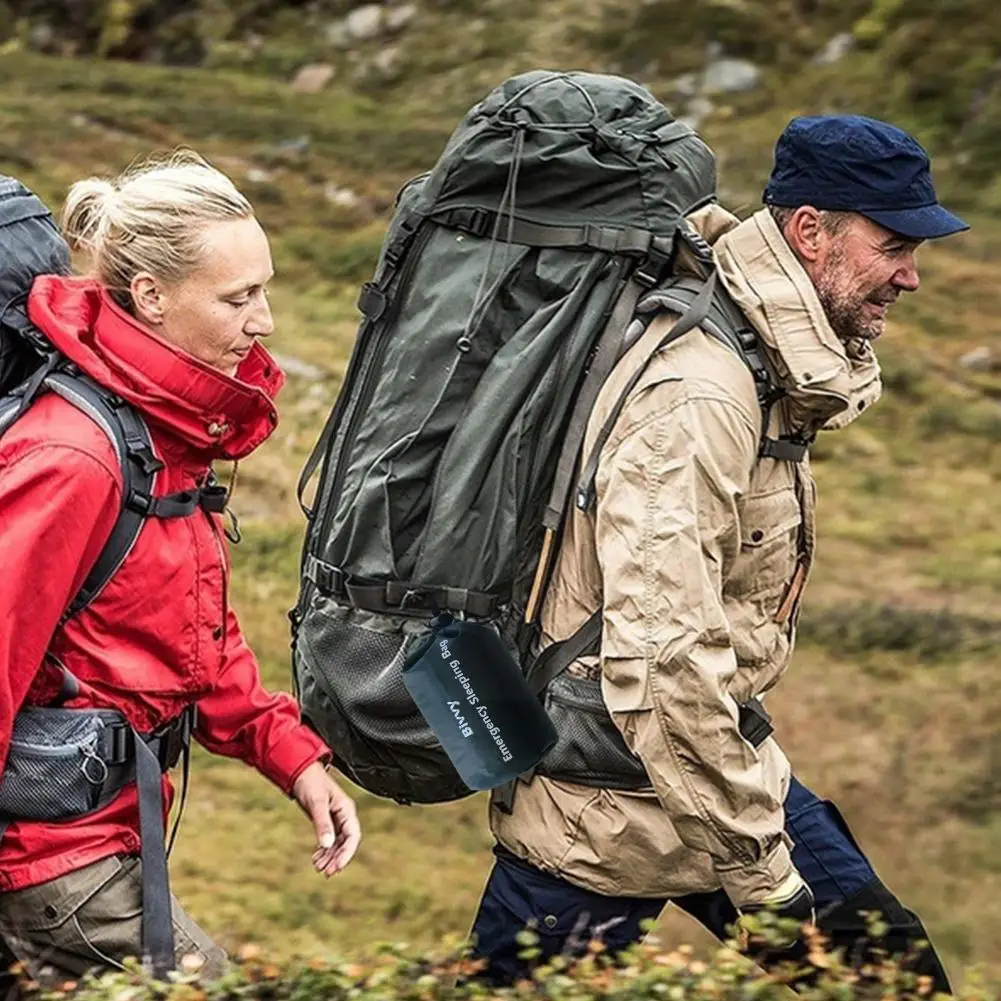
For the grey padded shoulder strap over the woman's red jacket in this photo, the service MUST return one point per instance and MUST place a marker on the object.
(131, 439)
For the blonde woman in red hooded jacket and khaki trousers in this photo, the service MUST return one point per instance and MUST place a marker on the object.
(172, 323)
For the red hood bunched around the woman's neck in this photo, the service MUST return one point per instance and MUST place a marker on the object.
(218, 416)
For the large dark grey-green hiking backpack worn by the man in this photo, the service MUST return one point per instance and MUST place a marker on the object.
(503, 299)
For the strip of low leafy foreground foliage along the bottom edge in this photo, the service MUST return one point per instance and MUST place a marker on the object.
(642, 973)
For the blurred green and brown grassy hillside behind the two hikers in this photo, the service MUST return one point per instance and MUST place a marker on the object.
(892, 706)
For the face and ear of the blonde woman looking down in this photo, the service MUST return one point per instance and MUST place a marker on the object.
(222, 309)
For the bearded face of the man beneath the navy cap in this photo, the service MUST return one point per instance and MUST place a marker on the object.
(859, 273)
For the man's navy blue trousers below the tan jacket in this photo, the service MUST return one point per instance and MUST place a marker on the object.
(567, 917)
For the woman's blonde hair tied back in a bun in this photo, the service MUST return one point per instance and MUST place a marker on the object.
(150, 219)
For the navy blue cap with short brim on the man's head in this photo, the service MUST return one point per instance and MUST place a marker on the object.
(850, 164)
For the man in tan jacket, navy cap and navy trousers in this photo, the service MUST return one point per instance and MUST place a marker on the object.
(666, 786)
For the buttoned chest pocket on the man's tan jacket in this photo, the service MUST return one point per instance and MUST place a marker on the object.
(768, 561)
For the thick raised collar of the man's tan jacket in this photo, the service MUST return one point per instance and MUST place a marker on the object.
(828, 386)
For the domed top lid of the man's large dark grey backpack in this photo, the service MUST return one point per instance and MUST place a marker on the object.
(581, 146)
